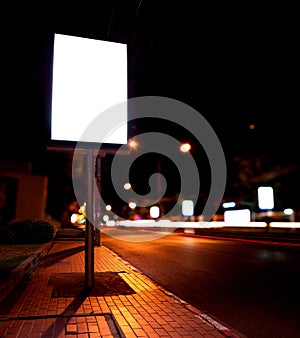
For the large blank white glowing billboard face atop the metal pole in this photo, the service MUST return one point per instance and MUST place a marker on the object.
(89, 77)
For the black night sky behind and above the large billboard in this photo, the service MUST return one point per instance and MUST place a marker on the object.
(236, 65)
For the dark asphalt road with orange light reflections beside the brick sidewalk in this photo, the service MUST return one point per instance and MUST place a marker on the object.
(251, 288)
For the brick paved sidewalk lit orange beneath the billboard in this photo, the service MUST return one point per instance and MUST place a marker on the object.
(123, 302)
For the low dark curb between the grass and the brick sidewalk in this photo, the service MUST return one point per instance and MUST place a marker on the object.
(23, 269)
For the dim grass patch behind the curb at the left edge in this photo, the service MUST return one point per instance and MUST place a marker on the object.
(12, 255)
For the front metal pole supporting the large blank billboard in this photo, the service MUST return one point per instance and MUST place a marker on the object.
(89, 231)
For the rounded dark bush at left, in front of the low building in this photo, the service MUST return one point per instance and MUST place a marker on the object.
(31, 231)
